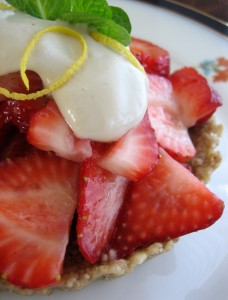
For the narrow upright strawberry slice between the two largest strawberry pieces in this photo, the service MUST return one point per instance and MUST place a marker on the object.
(100, 198)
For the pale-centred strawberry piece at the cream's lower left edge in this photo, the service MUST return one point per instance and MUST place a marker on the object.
(48, 131)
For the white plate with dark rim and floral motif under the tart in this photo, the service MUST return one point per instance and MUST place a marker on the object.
(197, 268)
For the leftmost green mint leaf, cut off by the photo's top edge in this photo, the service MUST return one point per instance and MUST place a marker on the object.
(43, 9)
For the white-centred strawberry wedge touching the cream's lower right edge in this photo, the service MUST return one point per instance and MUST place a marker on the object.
(133, 155)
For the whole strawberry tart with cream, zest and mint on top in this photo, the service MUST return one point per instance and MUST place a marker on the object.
(100, 146)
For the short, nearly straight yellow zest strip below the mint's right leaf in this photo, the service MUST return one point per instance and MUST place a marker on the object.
(107, 41)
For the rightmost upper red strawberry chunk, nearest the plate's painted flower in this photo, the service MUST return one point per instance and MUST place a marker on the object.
(197, 101)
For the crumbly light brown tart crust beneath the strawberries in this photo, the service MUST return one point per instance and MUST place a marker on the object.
(77, 273)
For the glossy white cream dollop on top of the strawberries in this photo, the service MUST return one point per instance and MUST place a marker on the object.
(103, 100)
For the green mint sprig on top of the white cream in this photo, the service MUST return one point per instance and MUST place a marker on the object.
(97, 14)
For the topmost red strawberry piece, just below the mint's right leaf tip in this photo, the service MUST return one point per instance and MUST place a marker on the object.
(154, 59)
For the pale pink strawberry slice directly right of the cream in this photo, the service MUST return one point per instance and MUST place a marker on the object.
(166, 120)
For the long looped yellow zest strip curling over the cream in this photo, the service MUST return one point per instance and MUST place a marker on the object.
(62, 80)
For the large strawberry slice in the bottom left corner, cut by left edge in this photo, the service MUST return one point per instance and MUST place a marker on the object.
(37, 204)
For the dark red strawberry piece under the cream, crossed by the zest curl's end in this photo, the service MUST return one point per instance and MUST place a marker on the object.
(13, 82)
